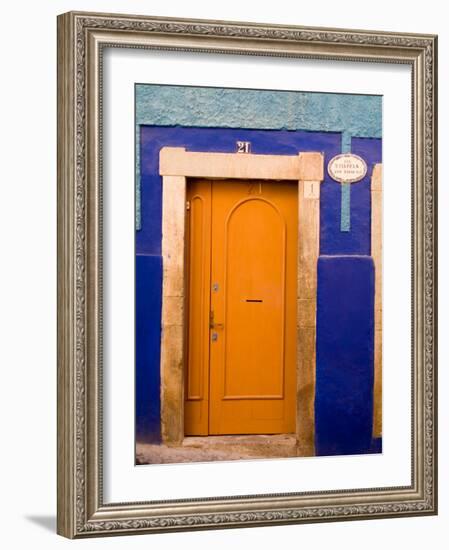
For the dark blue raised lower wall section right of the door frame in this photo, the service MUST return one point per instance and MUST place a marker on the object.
(345, 355)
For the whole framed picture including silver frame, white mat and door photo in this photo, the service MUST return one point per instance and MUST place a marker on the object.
(246, 274)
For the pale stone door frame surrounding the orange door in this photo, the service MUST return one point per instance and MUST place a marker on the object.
(175, 166)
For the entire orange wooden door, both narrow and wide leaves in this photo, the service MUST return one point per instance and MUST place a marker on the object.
(242, 308)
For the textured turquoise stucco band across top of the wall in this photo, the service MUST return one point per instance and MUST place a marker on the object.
(237, 108)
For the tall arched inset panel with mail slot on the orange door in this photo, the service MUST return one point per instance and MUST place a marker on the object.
(255, 241)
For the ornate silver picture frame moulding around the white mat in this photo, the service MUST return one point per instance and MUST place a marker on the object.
(81, 510)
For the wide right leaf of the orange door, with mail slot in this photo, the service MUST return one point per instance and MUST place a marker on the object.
(253, 359)
